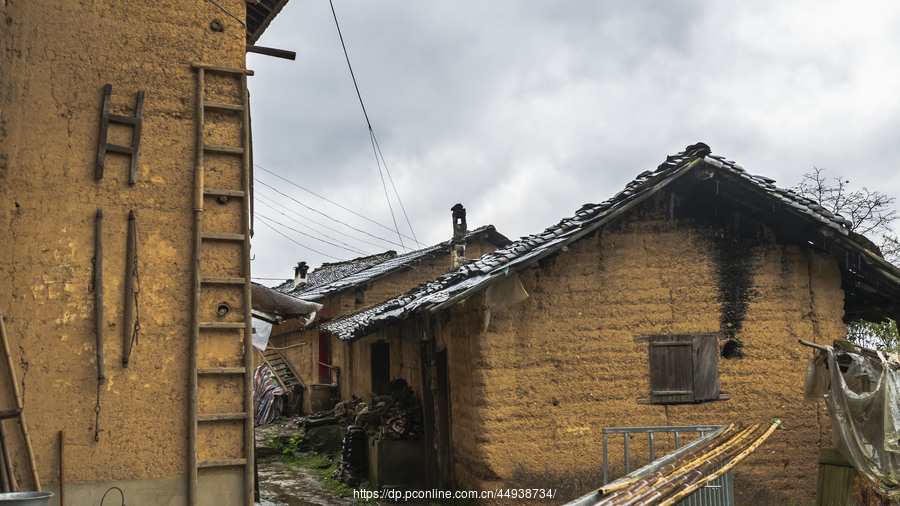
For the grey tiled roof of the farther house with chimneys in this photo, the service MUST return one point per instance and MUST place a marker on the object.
(336, 277)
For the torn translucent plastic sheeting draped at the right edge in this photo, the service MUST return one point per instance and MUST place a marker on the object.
(862, 389)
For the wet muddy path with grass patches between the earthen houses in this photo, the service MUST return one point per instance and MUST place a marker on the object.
(284, 485)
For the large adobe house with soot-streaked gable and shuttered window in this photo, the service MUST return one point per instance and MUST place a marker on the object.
(679, 301)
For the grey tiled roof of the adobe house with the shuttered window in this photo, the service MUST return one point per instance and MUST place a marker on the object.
(479, 273)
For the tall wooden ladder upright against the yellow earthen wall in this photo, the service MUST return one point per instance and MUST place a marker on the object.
(216, 328)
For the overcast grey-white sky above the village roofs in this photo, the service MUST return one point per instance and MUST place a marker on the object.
(525, 110)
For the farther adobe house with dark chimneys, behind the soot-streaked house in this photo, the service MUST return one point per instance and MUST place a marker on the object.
(345, 287)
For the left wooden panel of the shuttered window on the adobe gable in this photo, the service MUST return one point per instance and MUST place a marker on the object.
(671, 370)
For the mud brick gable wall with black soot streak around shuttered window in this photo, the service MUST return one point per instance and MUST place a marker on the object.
(532, 392)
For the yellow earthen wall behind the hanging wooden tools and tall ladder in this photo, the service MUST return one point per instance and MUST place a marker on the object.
(56, 58)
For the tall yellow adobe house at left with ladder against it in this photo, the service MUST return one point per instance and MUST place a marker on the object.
(127, 336)
